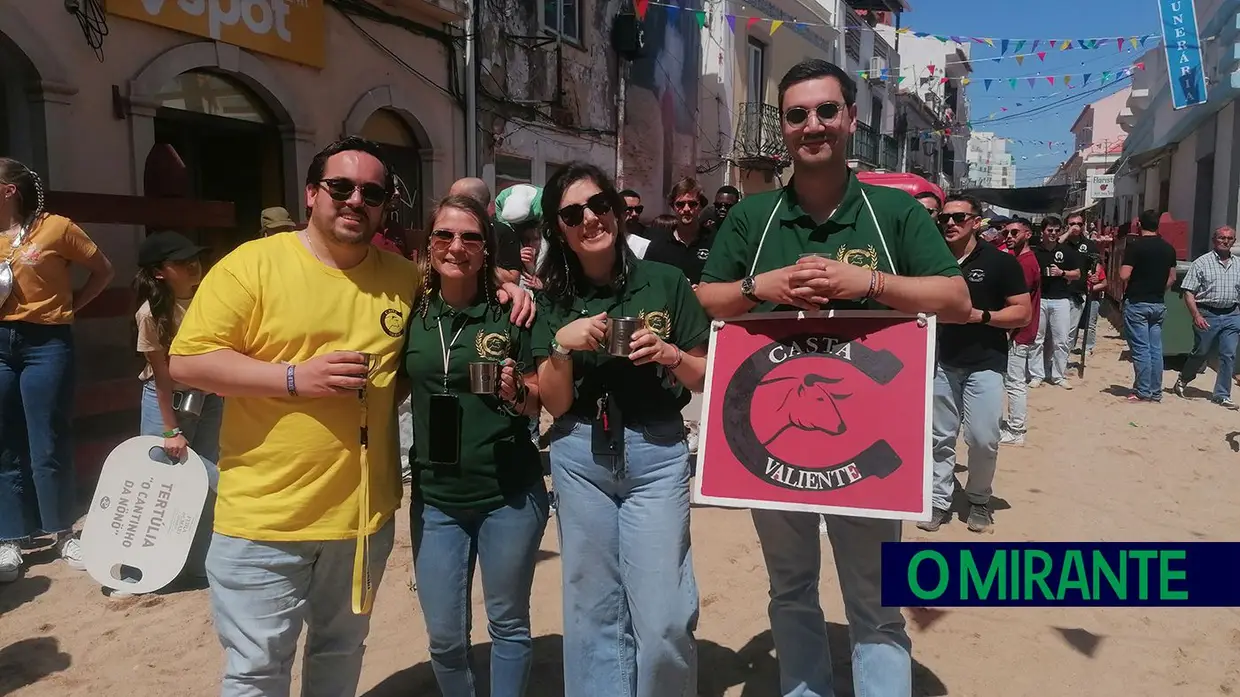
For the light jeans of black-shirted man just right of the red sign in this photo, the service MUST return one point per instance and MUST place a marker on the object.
(973, 400)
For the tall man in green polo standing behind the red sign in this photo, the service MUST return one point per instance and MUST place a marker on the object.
(879, 249)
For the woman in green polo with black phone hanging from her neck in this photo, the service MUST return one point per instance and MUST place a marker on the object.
(478, 488)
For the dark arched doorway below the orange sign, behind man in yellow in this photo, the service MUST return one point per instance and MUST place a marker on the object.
(230, 144)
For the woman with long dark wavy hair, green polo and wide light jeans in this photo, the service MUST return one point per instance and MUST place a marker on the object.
(618, 452)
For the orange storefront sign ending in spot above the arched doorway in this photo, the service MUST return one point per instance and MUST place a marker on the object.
(287, 29)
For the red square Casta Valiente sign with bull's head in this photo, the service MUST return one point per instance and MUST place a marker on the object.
(826, 415)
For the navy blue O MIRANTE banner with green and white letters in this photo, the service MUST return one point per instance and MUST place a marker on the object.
(1104, 575)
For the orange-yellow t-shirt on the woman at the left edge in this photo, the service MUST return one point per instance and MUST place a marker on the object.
(43, 290)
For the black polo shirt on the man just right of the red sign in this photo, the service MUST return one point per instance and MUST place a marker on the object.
(993, 277)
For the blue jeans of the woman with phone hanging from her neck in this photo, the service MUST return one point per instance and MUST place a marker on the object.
(447, 545)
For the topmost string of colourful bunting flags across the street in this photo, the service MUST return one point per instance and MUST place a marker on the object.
(1004, 44)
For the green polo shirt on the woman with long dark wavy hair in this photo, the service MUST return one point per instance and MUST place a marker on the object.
(648, 394)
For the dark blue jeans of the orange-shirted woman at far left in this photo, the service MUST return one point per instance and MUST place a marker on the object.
(37, 446)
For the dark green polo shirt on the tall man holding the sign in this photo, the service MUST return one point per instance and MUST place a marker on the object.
(910, 245)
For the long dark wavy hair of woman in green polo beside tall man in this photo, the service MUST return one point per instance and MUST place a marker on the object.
(561, 271)
